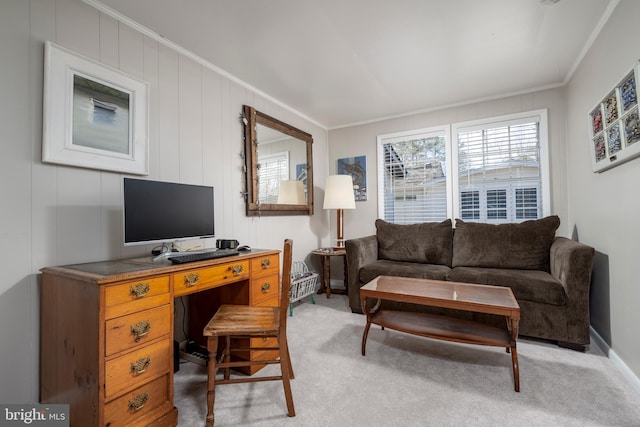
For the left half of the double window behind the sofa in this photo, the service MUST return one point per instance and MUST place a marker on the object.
(414, 178)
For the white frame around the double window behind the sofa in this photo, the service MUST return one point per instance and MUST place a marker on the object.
(452, 175)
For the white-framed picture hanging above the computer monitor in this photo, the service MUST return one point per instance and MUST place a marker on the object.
(94, 116)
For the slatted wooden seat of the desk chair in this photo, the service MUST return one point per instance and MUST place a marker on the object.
(243, 320)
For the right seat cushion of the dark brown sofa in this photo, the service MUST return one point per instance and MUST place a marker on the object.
(527, 285)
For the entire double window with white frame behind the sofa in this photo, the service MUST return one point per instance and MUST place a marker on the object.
(498, 171)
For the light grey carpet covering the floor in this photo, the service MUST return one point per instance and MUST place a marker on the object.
(406, 380)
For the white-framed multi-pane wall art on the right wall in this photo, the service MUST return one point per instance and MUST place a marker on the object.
(614, 125)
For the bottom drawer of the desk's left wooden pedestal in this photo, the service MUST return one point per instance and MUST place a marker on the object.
(125, 410)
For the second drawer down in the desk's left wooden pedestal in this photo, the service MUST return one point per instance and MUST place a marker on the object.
(137, 329)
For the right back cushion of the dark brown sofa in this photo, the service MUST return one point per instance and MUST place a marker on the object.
(524, 246)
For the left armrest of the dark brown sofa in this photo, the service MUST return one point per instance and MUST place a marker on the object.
(360, 252)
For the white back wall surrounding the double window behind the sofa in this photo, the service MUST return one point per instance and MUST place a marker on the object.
(361, 140)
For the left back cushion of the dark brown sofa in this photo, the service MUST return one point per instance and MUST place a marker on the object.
(427, 243)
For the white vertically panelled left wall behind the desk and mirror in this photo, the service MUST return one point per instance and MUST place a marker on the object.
(54, 215)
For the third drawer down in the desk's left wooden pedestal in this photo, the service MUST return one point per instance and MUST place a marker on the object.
(133, 368)
